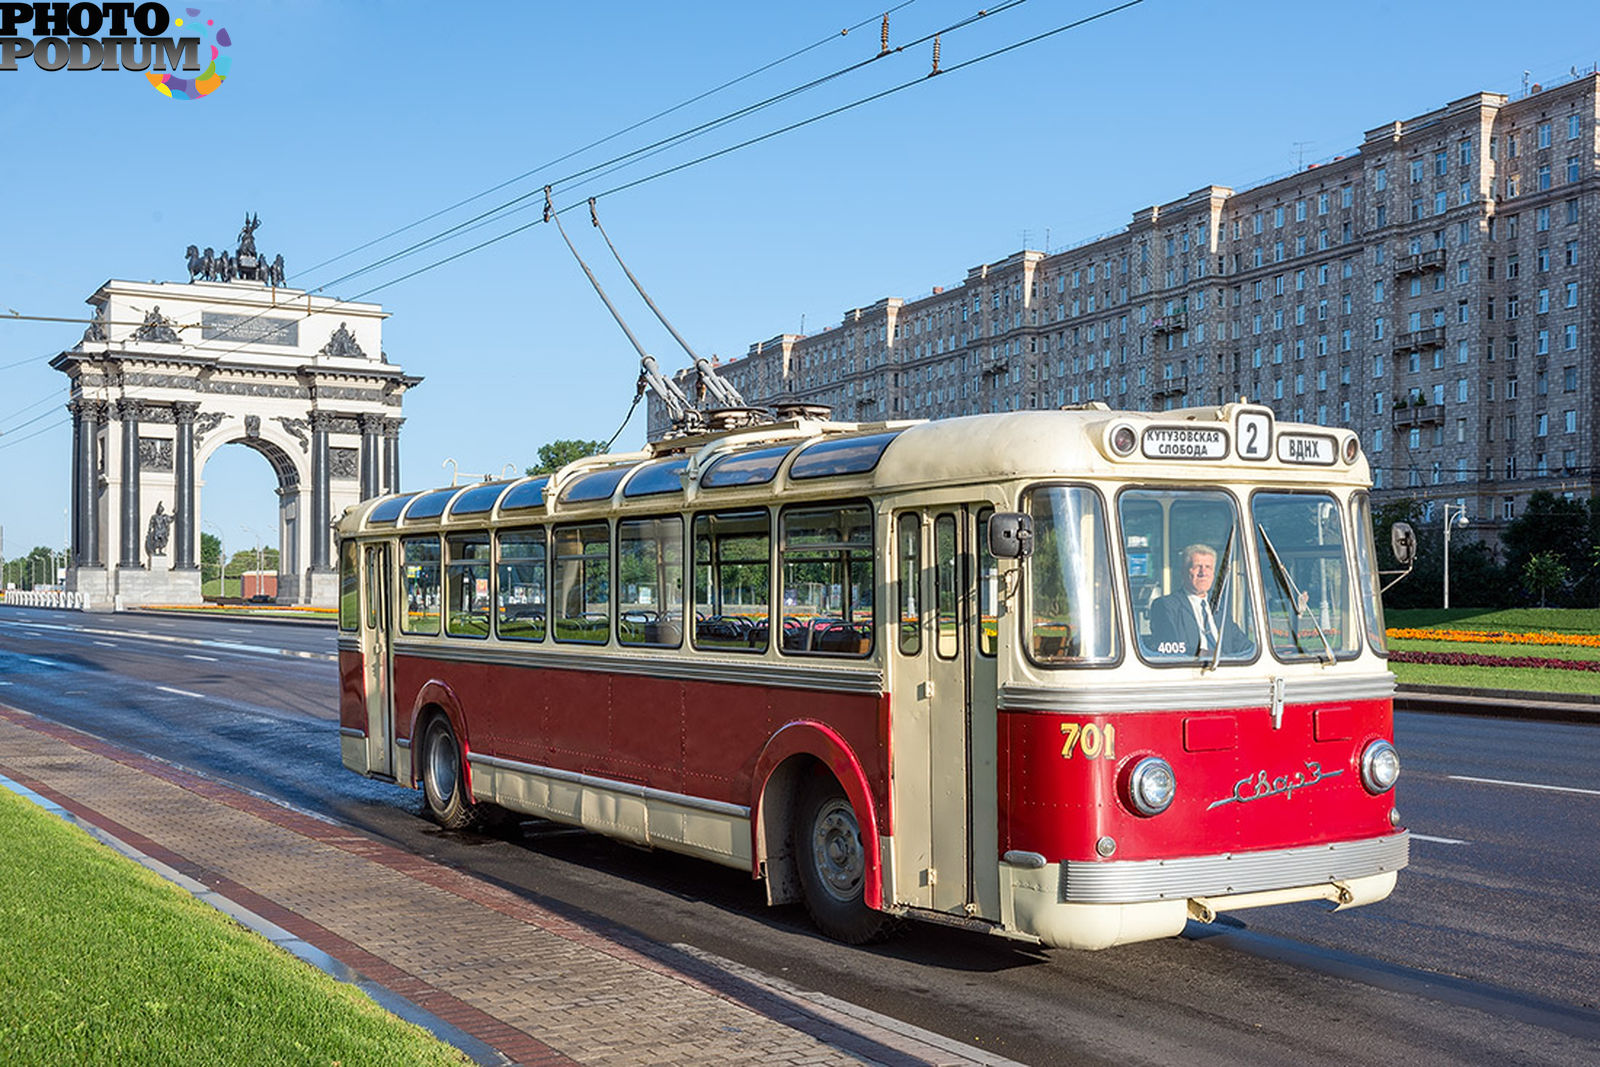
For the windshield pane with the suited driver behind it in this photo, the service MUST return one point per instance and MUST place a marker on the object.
(1190, 577)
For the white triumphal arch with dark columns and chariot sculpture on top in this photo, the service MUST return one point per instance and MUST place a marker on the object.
(170, 372)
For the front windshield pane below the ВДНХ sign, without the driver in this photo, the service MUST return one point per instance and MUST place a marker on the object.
(1300, 546)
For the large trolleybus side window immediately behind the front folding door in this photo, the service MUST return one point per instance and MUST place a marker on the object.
(828, 581)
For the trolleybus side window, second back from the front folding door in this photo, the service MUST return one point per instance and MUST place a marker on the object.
(734, 570)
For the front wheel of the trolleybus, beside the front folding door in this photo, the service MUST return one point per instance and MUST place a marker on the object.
(833, 865)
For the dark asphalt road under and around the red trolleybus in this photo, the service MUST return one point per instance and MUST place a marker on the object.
(1489, 951)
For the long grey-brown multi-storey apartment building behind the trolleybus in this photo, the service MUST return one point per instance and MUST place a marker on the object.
(1433, 289)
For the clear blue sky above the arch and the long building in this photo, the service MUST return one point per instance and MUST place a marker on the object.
(342, 122)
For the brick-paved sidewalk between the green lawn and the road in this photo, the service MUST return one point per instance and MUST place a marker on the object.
(506, 980)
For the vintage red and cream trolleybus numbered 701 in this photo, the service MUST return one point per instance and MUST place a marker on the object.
(1068, 676)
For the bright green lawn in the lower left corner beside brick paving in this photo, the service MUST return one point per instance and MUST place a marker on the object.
(103, 962)
